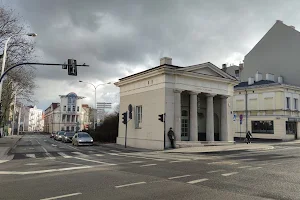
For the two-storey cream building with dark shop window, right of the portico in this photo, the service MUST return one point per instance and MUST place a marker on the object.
(269, 106)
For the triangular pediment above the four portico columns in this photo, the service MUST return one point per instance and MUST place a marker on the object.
(207, 69)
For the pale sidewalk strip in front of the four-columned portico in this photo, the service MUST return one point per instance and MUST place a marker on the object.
(233, 147)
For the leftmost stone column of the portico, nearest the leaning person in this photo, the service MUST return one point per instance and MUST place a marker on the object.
(177, 114)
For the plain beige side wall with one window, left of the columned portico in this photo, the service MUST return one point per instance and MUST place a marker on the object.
(150, 94)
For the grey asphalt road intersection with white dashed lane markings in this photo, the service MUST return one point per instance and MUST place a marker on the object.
(46, 169)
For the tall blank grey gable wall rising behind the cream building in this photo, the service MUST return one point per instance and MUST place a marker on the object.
(278, 50)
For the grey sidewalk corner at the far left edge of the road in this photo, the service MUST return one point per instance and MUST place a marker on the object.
(6, 143)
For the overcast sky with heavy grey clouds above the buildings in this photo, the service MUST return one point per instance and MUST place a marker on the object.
(119, 38)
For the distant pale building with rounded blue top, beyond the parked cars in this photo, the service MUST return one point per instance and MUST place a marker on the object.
(68, 115)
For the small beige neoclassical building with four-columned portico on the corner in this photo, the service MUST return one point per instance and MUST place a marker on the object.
(195, 100)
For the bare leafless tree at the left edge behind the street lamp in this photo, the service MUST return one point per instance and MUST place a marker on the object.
(20, 49)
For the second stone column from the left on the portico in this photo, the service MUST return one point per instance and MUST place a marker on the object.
(193, 117)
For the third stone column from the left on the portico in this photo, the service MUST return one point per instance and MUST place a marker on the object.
(210, 133)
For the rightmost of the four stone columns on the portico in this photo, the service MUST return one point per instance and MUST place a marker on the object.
(224, 122)
